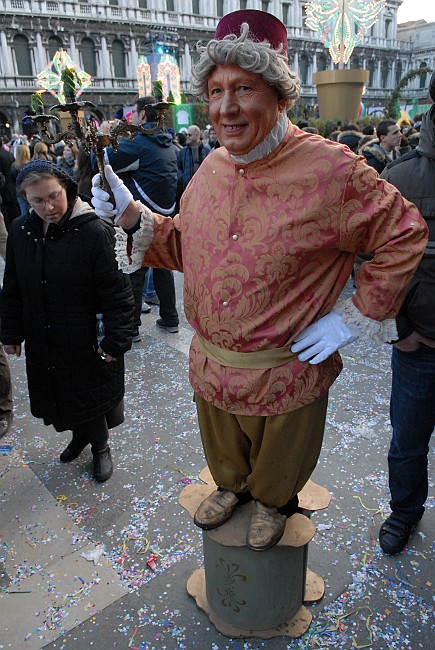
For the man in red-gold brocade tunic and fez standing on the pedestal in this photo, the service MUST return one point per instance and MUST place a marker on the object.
(266, 237)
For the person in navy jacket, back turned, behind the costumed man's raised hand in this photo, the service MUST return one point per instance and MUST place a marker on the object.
(148, 166)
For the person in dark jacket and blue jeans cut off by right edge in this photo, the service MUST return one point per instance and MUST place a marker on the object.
(412, 405)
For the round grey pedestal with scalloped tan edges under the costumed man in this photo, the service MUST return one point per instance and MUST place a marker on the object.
(248, 593)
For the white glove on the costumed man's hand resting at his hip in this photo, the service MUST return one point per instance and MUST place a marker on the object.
(321, 339)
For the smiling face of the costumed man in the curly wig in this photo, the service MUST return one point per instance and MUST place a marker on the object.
(243, 108)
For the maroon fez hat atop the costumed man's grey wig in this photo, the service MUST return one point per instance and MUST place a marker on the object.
(262, 27)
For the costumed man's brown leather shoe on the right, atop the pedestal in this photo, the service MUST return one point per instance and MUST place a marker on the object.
(266, 528)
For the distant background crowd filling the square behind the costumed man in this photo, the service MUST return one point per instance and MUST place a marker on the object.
(380, 142)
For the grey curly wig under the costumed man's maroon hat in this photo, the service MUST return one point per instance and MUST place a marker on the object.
(249, 55)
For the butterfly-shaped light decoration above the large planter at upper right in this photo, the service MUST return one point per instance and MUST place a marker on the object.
(342, 24)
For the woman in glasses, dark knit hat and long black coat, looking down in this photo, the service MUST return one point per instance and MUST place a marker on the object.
(60, 272)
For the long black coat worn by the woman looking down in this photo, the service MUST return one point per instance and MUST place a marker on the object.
(52, 291)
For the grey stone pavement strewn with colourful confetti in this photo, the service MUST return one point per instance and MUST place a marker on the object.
(87, 565)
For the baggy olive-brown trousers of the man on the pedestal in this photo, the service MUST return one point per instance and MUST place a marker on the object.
(271, 457)
